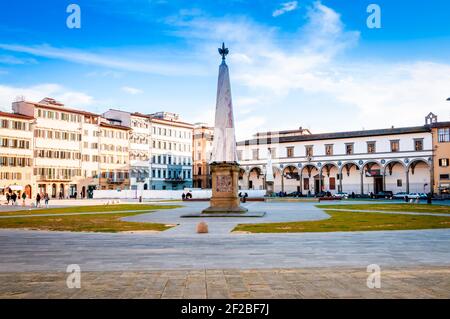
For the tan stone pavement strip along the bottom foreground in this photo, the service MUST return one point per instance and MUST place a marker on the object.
(418, 282)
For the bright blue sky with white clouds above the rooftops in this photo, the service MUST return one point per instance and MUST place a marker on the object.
(305, 63)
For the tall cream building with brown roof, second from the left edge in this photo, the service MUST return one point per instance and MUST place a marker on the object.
(57, 145)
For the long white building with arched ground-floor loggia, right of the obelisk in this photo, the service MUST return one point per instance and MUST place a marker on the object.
(360, 162)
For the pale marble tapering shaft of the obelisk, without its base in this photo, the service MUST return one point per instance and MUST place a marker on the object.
(224, 143)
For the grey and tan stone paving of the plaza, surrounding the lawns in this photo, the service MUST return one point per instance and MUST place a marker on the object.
(181, 263)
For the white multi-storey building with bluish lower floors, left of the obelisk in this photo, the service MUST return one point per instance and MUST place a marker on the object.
(171, 158)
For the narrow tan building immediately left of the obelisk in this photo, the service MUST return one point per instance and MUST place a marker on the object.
(202, 148)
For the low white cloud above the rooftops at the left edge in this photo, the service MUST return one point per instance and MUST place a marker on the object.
(33, 93)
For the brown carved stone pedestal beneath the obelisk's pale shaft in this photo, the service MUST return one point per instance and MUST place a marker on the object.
(225, 197)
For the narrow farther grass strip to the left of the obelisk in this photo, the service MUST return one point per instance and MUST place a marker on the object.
(88, 209)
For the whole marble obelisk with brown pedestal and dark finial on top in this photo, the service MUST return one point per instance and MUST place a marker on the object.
(224, 163)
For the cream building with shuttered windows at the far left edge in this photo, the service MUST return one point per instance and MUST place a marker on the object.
(16, 154)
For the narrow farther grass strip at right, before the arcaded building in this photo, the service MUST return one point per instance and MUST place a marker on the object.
(419, 208)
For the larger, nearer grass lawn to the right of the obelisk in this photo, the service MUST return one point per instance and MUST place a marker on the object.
(351, 221)
